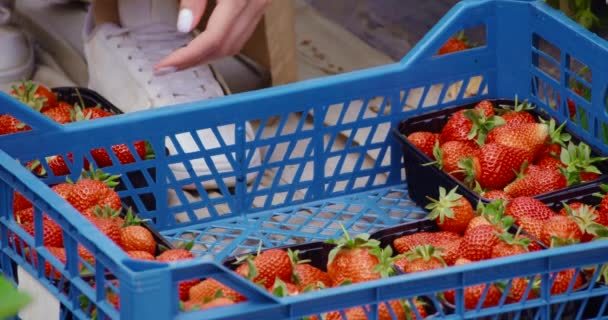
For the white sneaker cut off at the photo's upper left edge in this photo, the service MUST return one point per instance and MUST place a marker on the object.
(17, 62)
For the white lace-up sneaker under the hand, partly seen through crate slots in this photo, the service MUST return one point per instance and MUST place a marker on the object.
(121, 60)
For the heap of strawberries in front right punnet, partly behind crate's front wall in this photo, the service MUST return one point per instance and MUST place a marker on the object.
(466, 235)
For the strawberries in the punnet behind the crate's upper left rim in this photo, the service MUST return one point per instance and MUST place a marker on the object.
(43, 100)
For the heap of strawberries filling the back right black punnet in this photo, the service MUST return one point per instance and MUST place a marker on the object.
(503, 153)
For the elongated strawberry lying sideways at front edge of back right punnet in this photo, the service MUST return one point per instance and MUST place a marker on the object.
(535, 183)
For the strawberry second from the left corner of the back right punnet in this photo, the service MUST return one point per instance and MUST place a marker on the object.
(448, 155)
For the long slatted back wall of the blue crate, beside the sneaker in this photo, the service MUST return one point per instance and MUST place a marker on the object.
(341, 96)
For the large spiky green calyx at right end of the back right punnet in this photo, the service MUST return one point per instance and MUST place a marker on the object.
(577, 160)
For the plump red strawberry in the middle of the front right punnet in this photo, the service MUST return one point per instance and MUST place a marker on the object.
(477, 244)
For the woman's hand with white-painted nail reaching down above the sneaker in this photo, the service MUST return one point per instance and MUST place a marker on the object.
(229, 27)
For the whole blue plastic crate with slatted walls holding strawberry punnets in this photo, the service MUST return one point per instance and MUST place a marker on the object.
(530, 50)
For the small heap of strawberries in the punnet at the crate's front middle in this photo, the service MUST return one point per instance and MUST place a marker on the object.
(282, 273)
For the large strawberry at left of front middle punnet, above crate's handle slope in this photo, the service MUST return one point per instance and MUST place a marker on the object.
(269, 265)
